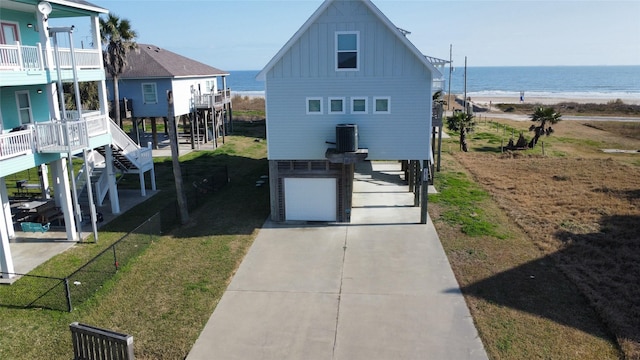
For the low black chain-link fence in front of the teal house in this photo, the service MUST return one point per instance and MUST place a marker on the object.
(32, 291)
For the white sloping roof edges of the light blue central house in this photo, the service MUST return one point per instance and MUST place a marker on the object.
(382, 17)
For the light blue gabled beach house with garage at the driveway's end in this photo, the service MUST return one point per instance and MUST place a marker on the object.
(348, 86)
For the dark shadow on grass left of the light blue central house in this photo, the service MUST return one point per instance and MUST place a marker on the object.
(216, 207)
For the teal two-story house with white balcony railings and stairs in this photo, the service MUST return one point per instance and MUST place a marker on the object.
(38, 133)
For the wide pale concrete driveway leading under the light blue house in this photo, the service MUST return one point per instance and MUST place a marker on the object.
(380, 287)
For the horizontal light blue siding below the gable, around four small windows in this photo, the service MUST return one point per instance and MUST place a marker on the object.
(403, 134)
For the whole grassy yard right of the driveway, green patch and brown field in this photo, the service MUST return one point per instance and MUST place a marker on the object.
(545, 248)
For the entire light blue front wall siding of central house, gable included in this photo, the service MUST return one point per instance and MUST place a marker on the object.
(387, 68)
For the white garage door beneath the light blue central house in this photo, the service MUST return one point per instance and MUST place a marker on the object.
(310, 199)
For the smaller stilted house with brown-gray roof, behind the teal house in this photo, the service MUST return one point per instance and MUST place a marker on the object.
(196, 88)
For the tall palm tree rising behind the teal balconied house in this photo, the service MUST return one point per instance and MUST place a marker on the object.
(118, 39)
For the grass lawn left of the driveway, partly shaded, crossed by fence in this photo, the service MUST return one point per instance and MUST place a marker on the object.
(165, 296)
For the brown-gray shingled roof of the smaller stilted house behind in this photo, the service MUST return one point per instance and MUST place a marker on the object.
(150, 61)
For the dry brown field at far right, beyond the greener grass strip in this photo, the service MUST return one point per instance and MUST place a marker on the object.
(584, 213)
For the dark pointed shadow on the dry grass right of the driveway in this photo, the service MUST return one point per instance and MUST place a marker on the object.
(590, 285)
